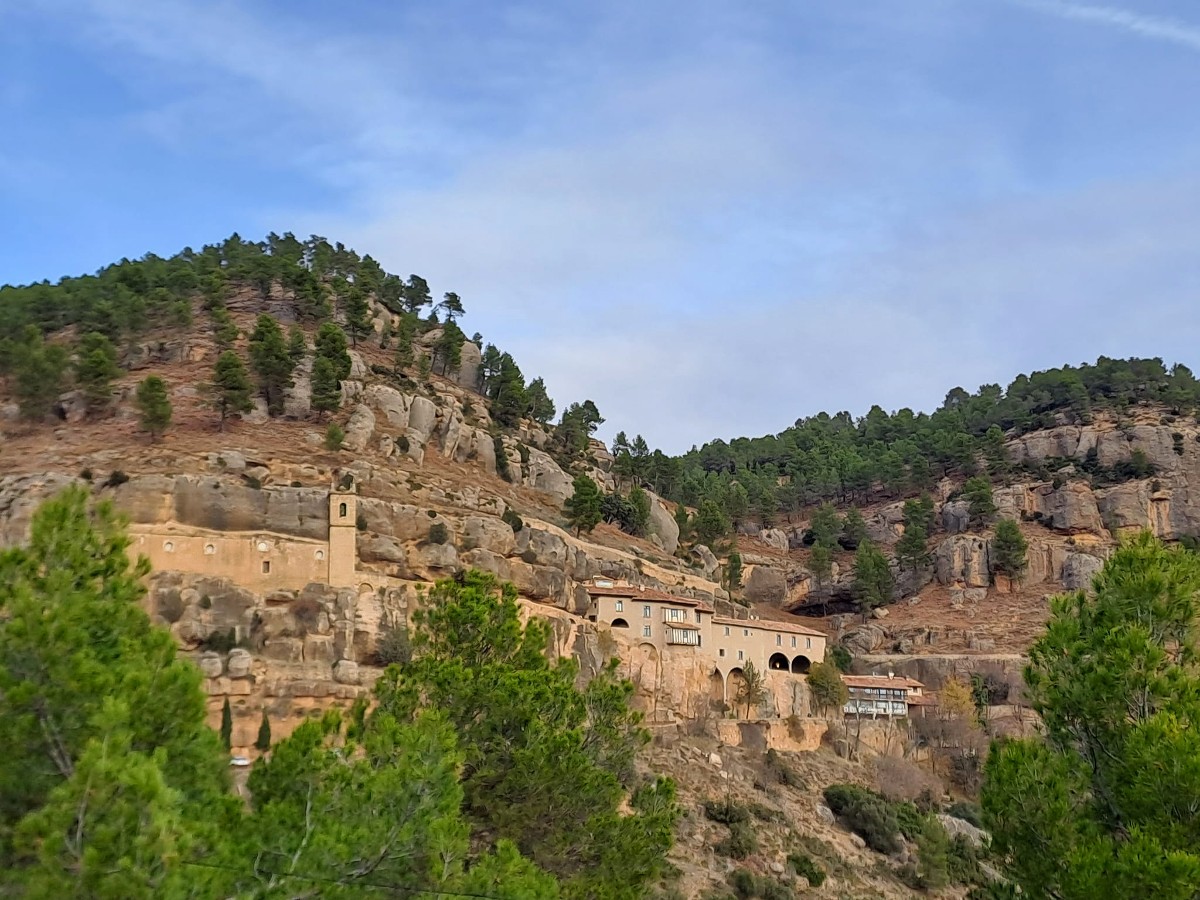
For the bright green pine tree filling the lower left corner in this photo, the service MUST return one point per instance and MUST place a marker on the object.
(111, 776)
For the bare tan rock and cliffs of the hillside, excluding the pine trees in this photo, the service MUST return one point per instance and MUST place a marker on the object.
(289, 568)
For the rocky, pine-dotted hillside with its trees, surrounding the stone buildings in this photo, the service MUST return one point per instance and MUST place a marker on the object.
(287, 562)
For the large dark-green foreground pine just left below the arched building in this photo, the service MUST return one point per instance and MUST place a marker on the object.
(526, 730)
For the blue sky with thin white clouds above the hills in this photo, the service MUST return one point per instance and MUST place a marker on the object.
(710, 218)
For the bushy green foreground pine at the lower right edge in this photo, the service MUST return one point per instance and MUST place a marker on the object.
(1105, 803)
